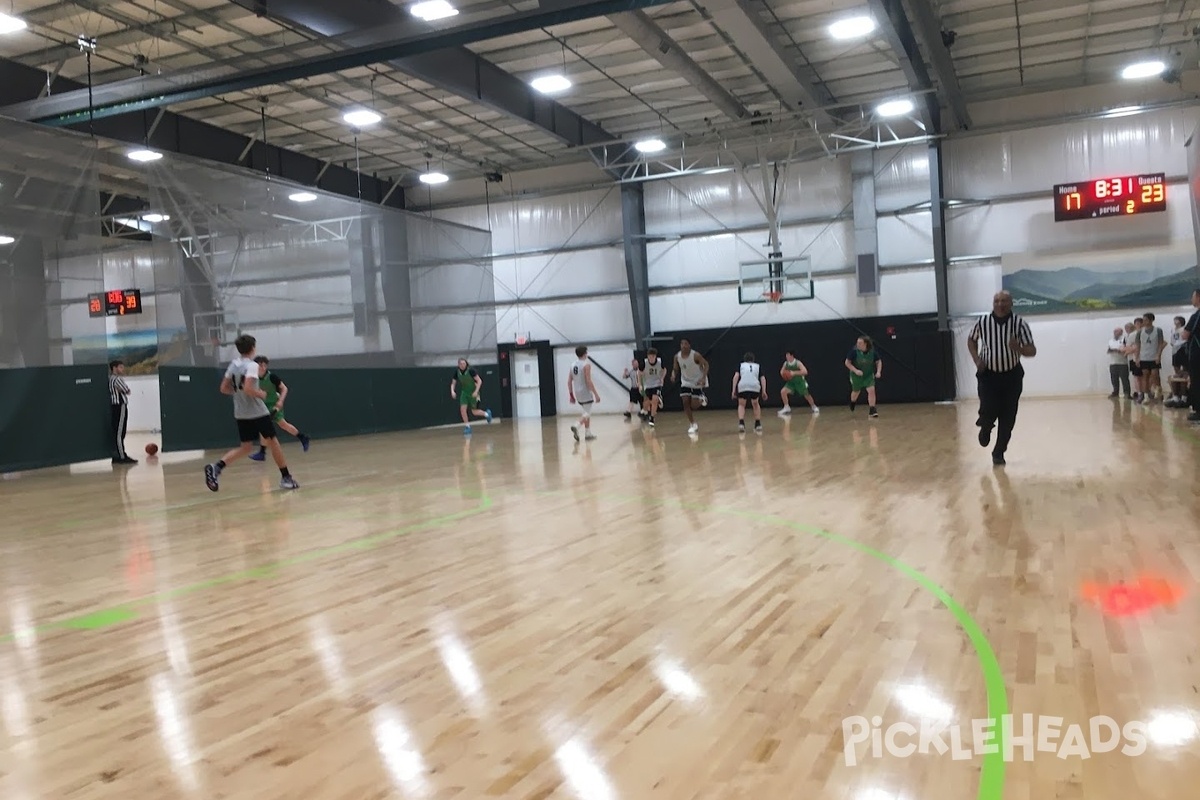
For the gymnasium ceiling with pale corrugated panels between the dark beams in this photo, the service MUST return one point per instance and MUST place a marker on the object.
(800, 79)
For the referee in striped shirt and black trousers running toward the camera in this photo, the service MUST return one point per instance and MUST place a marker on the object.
(998, 344)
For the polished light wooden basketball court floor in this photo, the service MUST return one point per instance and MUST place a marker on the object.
(645, 616)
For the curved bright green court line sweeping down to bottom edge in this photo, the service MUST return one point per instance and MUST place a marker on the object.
(992, 777)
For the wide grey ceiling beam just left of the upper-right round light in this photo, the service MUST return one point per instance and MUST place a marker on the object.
(797, 85)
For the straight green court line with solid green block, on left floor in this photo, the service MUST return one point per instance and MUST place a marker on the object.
(127, 612)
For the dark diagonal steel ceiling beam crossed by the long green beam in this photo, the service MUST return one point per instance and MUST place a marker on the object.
(457, 70)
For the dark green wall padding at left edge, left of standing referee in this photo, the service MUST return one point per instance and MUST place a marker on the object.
(55, 416)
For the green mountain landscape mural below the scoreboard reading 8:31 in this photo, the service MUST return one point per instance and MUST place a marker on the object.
(1081, 290)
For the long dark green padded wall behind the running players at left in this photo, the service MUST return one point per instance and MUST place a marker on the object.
(323, 404)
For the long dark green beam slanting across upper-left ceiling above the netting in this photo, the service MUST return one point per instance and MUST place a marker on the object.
(244, 75)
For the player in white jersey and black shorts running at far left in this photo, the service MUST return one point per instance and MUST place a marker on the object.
(253, 416)
